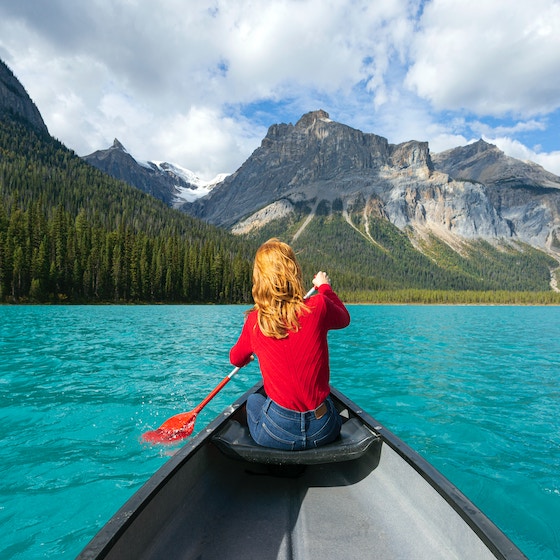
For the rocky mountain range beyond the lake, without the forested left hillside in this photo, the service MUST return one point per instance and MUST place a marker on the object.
(380, 216)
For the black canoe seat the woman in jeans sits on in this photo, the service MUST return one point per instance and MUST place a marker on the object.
(355, 439)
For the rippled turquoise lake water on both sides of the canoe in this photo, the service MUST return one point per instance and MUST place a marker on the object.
(475, 390)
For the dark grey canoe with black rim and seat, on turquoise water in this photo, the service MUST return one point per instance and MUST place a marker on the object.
(366, 495)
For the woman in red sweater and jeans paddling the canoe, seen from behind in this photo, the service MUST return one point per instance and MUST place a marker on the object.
(289, 337)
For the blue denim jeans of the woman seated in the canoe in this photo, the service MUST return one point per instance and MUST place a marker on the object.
(271, 425)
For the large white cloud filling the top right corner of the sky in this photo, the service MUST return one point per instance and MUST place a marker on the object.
(488, 57)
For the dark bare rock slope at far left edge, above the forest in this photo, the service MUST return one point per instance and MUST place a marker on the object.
(16, 104)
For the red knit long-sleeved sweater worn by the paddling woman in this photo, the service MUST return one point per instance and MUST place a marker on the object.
(295, 369)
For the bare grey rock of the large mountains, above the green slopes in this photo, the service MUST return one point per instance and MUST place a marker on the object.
(467, 193)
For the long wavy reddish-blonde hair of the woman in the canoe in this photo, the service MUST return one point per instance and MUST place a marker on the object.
(277, 289)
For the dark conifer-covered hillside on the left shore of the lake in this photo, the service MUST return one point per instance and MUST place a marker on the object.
(70, 233)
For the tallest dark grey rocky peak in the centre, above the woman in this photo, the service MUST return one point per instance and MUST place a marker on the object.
(317, 159)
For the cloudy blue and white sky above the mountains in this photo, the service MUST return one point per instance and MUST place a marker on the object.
(198, 82)
